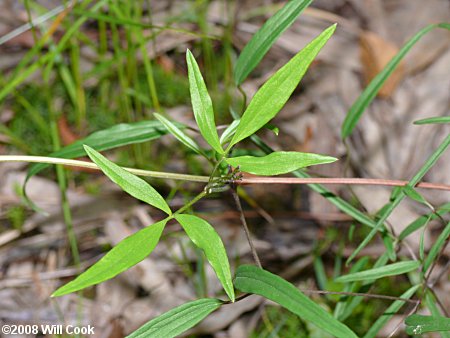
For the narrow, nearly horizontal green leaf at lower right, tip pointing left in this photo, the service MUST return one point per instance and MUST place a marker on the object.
(384, 271)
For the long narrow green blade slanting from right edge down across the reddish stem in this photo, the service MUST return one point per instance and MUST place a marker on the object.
(392, 205)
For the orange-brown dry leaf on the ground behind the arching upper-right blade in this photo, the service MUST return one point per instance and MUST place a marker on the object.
(376, 52)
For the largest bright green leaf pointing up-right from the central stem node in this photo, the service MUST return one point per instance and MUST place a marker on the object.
(272, 96)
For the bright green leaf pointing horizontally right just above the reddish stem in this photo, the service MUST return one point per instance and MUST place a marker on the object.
(279, 162)
